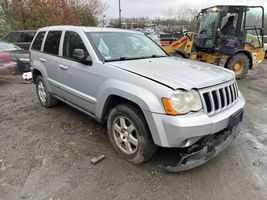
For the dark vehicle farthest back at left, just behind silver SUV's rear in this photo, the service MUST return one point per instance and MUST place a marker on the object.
(22, 39)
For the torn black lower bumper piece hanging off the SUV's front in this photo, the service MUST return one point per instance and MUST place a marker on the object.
(208, 147)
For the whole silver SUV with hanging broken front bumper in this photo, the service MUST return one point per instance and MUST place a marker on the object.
(147, 98)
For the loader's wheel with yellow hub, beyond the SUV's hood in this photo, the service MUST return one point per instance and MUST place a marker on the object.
(239, 64)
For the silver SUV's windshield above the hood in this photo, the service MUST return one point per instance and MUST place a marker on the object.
(113, 46)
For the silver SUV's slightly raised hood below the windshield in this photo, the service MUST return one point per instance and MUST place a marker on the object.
(177, 72)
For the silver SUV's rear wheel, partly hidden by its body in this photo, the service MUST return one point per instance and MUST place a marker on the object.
(44, 96)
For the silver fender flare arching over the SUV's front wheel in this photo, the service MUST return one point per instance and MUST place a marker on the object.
(144, 98)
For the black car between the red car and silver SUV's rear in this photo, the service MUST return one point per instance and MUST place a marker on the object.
(18, 55)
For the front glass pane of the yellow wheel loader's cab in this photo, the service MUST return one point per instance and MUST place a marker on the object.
(208, 22)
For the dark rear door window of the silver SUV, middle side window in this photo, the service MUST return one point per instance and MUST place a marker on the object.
(52, 42)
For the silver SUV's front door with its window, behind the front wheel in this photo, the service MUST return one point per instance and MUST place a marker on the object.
(77, 79)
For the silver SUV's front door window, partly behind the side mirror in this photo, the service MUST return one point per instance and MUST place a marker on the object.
(72, 41)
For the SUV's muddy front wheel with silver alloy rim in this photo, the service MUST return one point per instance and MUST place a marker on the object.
(133, 140)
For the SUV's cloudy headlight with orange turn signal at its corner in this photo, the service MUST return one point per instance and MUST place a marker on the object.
(182, 102)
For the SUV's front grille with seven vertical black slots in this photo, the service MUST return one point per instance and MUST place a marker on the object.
(219, 98)
